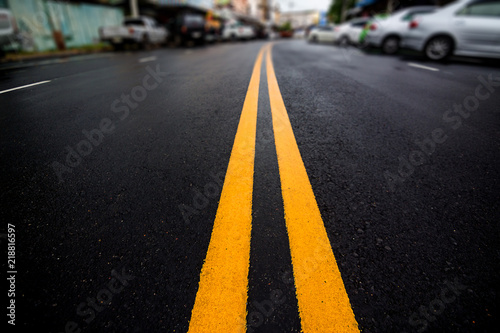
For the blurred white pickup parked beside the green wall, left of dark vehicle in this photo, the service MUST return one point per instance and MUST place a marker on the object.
(141, 30)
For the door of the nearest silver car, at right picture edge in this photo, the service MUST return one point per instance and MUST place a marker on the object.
(477, 27)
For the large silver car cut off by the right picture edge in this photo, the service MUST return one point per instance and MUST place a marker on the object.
(465, 27)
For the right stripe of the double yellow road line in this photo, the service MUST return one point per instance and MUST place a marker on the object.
(323, 302)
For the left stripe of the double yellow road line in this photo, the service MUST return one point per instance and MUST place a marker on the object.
(221, 301)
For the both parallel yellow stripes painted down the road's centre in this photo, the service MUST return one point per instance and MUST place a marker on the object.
(221, 301)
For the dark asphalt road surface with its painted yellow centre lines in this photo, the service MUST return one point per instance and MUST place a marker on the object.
(180, 189)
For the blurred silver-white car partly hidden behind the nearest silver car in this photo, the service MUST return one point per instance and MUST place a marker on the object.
(386, 33)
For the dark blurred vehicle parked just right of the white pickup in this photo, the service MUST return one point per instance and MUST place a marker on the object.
(186, 27)
